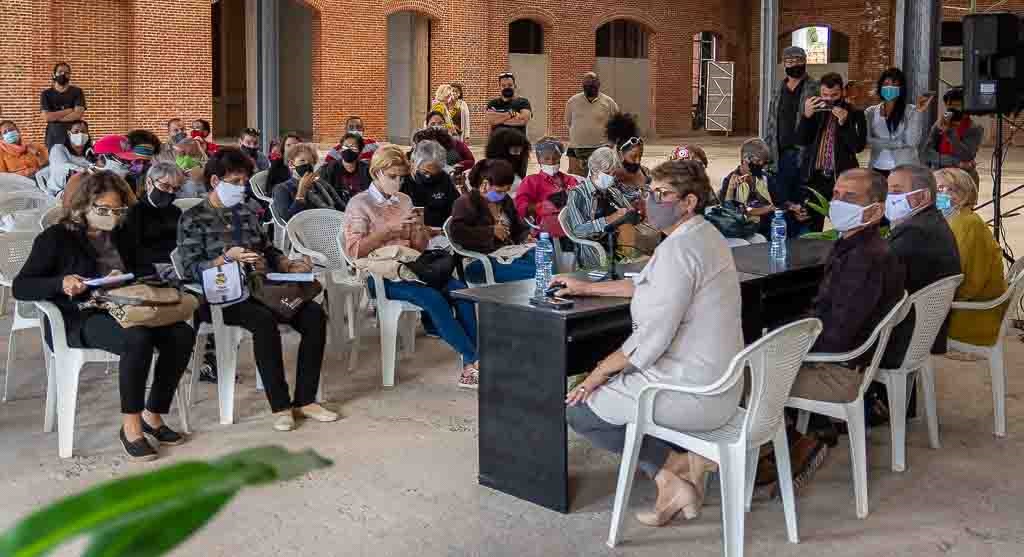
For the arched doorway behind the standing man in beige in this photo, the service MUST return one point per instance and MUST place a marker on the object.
(622, 49)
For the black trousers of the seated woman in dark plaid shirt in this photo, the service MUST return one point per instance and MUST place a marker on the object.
(311, 322)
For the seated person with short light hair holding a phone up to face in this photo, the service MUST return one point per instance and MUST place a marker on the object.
(305, 190)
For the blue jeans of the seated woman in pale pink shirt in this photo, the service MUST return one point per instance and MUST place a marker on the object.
(458, 330)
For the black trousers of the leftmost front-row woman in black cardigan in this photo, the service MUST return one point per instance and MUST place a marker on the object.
(136, 347)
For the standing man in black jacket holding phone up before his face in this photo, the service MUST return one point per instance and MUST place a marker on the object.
(833, 134)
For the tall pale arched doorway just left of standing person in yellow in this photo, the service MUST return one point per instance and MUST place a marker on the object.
(408, 74)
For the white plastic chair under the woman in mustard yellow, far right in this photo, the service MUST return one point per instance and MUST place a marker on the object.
(995, 355)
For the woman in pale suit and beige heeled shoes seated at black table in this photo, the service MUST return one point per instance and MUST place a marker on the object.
(687, 317)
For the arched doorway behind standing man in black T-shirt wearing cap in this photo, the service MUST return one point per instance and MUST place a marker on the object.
(530, 64)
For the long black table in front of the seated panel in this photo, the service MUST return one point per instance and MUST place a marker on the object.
(527, 353)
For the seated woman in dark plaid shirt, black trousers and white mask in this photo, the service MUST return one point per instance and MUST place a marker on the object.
(225, 229)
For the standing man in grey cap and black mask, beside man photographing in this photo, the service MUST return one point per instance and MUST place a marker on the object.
(784, 119)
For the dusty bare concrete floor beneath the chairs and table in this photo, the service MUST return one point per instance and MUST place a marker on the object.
(405, 476)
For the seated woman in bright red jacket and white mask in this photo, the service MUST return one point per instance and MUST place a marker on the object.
(542, 196)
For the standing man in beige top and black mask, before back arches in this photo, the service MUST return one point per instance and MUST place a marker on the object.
(587, 116)
